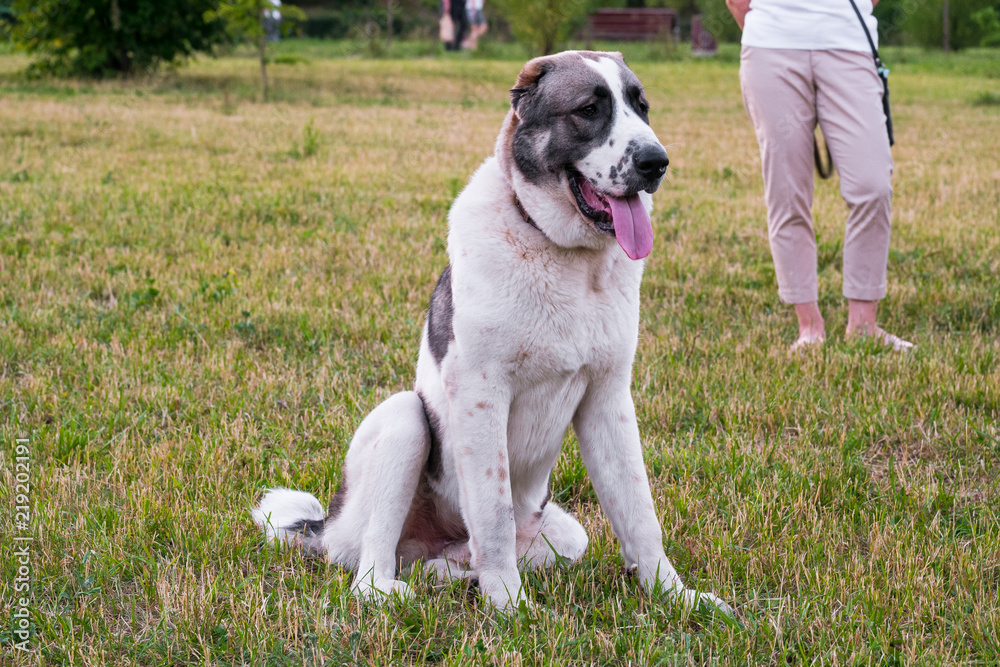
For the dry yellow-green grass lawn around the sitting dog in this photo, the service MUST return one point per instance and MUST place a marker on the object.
(202, 296)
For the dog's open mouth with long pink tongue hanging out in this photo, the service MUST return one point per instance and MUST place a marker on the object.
(625, 217)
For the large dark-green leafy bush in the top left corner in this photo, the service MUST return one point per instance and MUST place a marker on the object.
(107, 37)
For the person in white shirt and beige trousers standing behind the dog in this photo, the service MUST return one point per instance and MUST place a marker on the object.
(804, 63)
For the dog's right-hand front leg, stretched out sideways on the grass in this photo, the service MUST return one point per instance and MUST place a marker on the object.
(606, 428)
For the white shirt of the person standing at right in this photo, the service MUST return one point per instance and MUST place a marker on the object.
(809, 25)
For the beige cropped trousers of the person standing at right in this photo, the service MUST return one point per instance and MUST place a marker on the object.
(786, 92)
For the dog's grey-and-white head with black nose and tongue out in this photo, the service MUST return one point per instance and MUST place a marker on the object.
(578, 128)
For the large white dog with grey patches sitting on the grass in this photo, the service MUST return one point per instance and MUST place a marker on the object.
(532, 327)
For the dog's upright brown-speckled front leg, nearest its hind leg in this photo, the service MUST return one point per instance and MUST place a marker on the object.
(478, 438)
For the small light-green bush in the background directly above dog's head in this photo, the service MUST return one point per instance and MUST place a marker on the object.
(544, 24)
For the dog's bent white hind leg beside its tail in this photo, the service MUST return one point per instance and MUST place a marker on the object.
(381, 472)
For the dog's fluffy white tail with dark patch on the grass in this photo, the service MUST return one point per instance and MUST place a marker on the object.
(291, 517)
